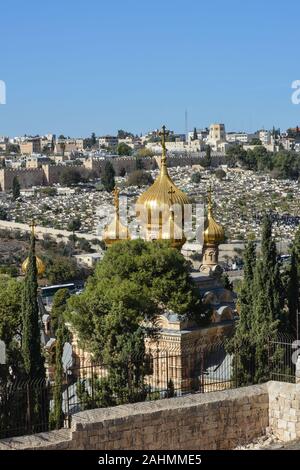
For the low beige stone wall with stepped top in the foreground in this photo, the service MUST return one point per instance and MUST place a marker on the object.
(217, 420)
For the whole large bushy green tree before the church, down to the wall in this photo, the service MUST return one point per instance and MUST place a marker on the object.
(133, 283)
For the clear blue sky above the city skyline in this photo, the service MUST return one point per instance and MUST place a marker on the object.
(75, 67)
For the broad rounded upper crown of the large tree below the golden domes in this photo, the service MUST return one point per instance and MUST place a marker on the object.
(133, 283)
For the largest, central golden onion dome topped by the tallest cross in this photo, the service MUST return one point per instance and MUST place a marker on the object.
(153, 205)
